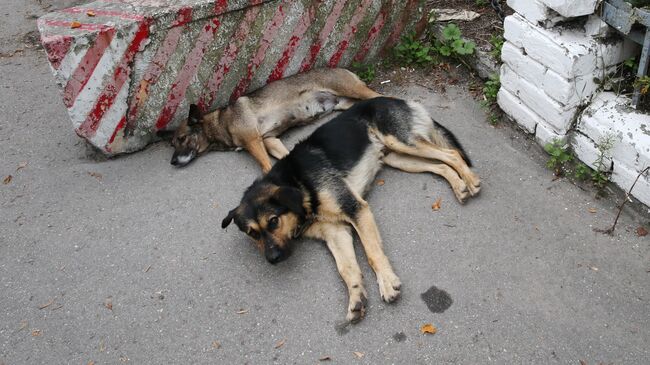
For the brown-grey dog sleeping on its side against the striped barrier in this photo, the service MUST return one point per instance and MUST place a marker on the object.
(253, 122)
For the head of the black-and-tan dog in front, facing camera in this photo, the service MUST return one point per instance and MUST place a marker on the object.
(271, 215)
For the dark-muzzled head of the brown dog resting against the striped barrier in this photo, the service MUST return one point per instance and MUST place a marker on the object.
(189, 139)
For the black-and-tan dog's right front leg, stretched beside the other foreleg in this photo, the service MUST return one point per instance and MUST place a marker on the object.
(366, 227)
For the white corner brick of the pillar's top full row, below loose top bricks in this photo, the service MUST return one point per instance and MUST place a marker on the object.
(569, 53)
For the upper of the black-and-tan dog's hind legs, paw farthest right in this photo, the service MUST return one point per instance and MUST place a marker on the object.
(428, 150)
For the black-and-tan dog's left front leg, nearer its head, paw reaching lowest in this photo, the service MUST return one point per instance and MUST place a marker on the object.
(339, 241)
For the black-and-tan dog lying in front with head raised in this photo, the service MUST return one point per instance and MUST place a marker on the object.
(317, 190)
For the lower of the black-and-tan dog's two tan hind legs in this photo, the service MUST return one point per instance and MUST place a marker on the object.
(416, 165)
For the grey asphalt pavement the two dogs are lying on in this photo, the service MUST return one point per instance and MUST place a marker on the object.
(124, 260)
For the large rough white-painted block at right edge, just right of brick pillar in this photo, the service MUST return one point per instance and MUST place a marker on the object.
(610, 115)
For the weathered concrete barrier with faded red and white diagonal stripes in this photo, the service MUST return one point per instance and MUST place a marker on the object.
(128, 68)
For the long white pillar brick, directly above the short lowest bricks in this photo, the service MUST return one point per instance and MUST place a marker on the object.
(557, 116)
